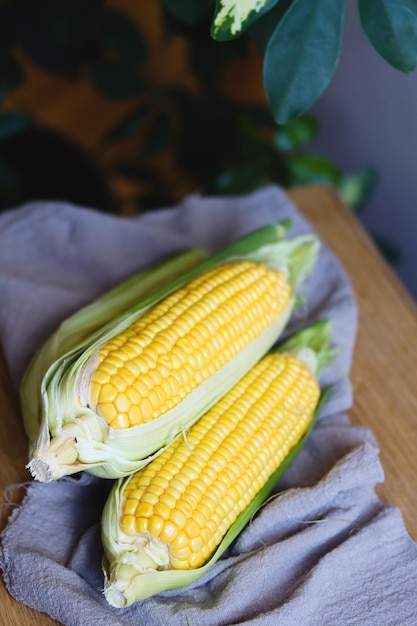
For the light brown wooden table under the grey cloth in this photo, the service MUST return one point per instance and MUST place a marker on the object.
(384, 373)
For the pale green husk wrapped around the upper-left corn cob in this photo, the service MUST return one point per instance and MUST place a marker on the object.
(67, 437)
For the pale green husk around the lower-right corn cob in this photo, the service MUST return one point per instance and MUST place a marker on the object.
(126, 581)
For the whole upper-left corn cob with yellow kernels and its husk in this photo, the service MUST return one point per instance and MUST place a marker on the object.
(126, 391)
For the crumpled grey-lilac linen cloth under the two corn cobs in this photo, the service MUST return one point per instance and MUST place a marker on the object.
(325, 551)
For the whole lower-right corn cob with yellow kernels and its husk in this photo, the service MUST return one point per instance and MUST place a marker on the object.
(165, 522)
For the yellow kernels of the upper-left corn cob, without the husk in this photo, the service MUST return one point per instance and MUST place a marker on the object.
(183, 340)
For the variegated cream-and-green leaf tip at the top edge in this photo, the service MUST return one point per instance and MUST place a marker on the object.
(232, 17)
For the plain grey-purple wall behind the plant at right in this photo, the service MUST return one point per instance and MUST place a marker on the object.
(368, 116)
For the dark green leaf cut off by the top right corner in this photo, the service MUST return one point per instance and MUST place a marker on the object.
(391, 28)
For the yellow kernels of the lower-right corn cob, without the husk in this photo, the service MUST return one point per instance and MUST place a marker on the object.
(227, 457)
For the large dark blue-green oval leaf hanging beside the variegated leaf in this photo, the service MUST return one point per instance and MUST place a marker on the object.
(302, 56)
